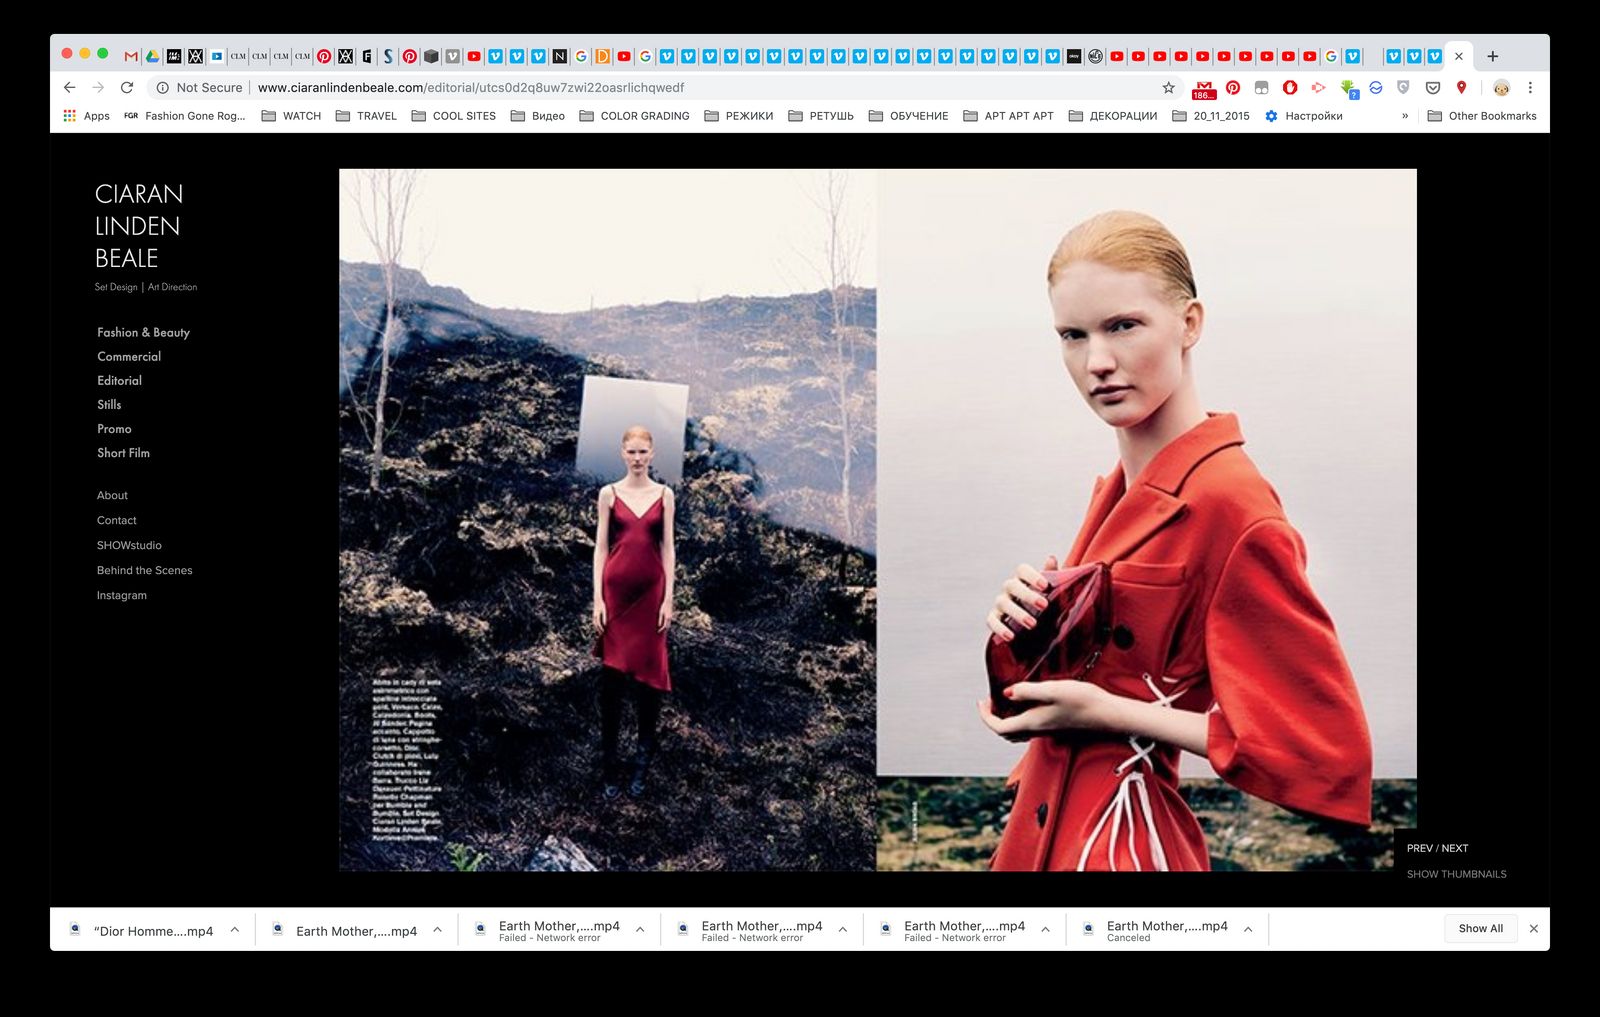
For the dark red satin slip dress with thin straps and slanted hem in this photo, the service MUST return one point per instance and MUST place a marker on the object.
(634, 584)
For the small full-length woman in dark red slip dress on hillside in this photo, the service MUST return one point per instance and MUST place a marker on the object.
(634, 565)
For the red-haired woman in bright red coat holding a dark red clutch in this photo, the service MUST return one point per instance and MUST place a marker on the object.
(1218, 645)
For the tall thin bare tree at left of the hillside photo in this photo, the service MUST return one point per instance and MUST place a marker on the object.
(383, 207)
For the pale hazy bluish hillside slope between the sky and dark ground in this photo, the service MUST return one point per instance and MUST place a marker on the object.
(767, 377)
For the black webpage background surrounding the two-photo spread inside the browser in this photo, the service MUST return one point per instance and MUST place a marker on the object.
(194, 738)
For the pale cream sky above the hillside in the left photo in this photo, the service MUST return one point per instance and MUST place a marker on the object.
(562, 239)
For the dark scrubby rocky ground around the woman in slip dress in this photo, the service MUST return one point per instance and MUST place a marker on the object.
(473, 565)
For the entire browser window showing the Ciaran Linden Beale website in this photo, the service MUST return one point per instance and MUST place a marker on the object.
(777, 476)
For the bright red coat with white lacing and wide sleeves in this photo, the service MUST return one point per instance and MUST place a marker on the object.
(1212, 613)
